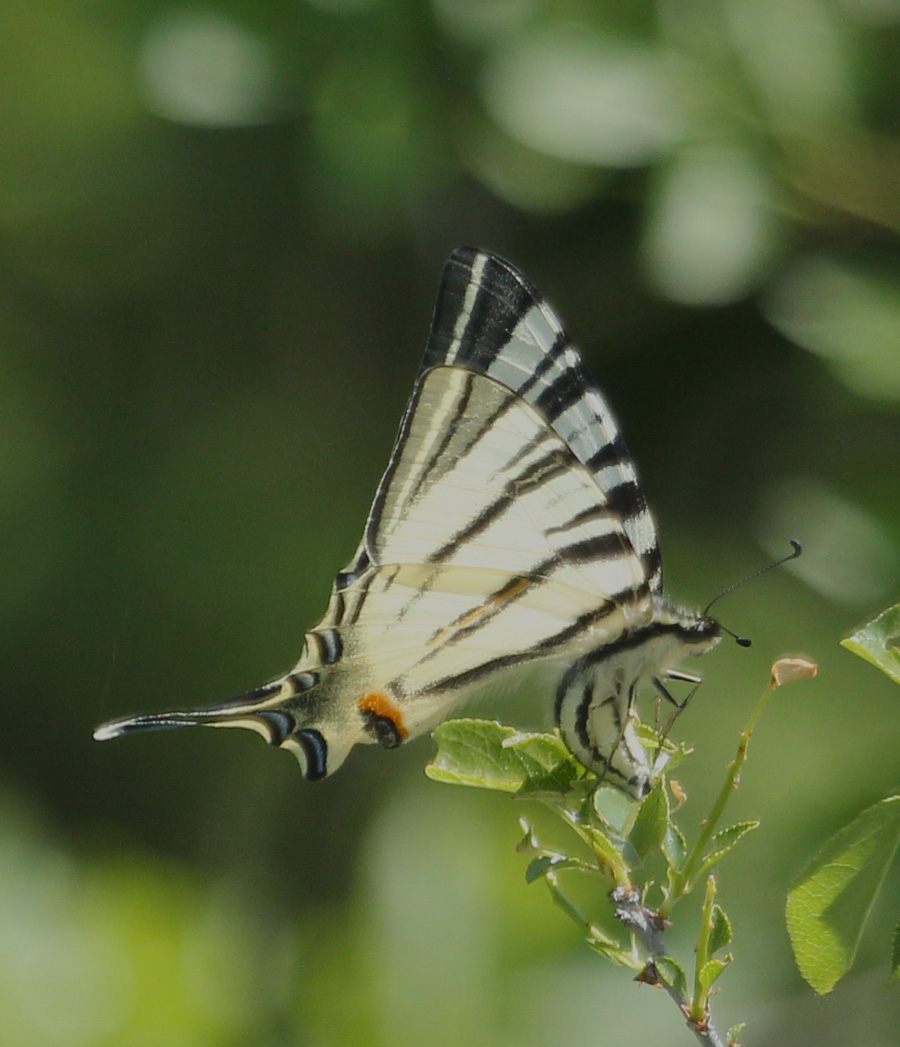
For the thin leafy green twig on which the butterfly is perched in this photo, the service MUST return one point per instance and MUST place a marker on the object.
(634, 855)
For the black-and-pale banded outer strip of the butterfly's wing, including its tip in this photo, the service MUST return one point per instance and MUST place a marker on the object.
(481, 306)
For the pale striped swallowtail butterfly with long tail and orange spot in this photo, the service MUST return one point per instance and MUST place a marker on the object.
(509, 529)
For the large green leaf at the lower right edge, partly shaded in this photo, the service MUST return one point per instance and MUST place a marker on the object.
(830, 902)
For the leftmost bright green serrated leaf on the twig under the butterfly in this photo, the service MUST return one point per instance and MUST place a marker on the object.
(490, 755)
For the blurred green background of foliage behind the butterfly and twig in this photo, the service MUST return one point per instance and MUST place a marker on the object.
(222, 231)
